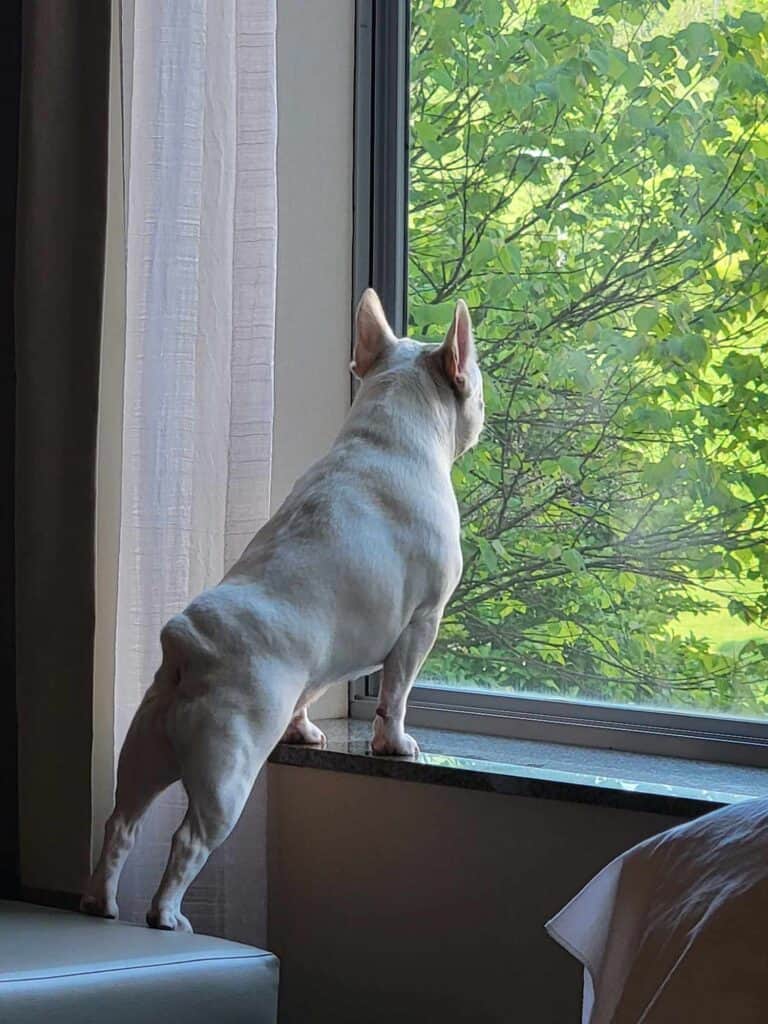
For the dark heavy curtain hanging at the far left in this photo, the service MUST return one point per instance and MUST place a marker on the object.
(61, 218)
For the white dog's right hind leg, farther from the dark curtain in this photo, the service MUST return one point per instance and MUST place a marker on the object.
(222, 751)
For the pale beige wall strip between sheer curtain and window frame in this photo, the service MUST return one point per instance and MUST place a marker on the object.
(316, 77)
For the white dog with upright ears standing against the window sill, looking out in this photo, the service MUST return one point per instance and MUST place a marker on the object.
(352, 575)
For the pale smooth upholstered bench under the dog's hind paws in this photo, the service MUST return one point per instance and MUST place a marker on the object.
(64, 968)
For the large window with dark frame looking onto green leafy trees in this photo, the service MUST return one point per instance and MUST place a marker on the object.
(592, 178)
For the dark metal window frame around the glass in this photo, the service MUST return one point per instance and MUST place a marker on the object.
(380, 261)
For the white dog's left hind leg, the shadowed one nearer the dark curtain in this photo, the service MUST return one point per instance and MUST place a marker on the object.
(148, 765)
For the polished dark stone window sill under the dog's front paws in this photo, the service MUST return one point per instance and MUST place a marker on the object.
(542, 771)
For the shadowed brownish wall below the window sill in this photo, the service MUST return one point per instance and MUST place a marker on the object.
(397, 902)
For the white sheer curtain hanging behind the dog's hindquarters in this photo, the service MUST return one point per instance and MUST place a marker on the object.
(200, 125)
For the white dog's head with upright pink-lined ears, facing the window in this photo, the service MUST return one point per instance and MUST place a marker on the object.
(451, 368)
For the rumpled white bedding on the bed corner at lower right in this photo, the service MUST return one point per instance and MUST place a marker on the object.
(676, 930)
